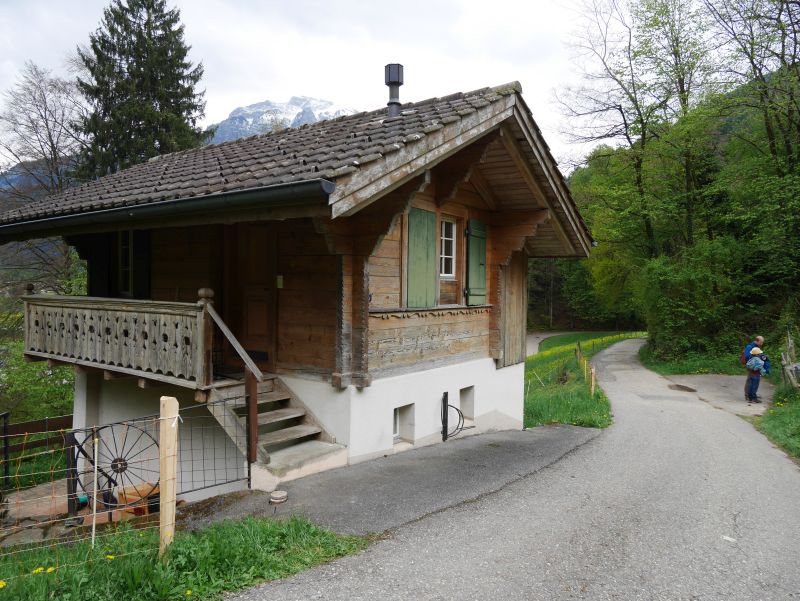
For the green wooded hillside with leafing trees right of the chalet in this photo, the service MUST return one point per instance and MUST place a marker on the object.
(692, 190)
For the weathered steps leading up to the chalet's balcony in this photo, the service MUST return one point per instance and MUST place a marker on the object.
(287, 431)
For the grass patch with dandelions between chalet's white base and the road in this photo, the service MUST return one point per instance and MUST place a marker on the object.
(556, 391)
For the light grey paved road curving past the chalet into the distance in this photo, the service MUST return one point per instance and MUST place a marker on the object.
(677, 501)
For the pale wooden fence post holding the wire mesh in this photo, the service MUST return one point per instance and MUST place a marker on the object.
(168, 459)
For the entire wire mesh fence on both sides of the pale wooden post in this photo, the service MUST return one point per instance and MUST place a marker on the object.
(70, 488)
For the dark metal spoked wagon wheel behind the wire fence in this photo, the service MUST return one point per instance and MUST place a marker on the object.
(127, 459)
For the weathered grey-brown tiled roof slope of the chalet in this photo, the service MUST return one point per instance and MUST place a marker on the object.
(323, 150)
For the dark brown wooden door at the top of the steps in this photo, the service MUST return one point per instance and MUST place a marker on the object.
(252, 266)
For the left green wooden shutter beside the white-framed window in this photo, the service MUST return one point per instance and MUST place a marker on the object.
(421, 258)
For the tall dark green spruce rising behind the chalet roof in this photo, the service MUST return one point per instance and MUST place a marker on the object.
(140, 86)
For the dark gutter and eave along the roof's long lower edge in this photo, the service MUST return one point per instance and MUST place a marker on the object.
(240, 205)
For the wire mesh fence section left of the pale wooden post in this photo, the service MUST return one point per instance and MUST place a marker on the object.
(71, 488)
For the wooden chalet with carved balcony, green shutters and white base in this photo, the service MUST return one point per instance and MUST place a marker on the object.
(358, 268)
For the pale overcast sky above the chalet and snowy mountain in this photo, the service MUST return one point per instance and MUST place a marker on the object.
(335, 50)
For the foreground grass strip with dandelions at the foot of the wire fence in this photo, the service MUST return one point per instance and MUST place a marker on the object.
(226, 556)
